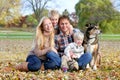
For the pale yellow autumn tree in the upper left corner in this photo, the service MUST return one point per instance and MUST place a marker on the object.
(9, 11)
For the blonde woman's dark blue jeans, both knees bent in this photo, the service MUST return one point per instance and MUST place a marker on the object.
(53, 61)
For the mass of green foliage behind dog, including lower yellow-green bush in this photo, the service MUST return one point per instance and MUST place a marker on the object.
(100, 12)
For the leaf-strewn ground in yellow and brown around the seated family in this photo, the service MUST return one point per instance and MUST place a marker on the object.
(13, 52)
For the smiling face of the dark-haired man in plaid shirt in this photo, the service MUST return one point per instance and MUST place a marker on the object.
(64, 25)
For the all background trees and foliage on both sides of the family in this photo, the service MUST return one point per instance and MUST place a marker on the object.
(101, 12)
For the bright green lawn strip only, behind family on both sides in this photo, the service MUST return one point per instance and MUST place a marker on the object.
(29, 35)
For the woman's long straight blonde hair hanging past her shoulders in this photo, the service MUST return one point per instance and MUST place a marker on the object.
(40, 38)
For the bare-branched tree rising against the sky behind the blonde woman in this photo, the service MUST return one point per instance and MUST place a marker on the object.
(38, 7)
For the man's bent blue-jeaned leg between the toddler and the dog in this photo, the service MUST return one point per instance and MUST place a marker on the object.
(84, 60)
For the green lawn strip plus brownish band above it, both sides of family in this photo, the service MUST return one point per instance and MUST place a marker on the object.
(28, 33)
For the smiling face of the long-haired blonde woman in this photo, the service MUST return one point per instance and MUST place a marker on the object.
(47, 25)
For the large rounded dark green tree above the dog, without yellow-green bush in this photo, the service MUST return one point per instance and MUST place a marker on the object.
(94, 11)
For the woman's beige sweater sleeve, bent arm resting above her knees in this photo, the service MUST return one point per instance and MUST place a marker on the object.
(39, 52)
